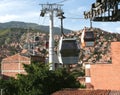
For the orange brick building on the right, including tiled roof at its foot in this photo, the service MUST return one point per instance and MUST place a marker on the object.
(100, 79)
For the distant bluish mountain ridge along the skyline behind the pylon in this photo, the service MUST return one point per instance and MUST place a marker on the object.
(16, 24)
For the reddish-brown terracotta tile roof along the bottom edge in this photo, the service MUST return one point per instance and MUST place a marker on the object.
(86, 92)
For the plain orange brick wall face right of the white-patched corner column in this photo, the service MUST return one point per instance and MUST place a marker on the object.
(107, 76)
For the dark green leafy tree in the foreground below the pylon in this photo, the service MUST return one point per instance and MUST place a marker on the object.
(39, 80)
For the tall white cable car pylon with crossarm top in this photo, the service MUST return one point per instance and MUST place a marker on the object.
(51, 8)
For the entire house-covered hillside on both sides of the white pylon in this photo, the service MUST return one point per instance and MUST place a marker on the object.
(14, 40)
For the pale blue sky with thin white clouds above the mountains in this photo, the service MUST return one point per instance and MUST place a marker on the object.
(29, 11)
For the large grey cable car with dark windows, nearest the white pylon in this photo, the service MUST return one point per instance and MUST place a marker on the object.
(68, 51)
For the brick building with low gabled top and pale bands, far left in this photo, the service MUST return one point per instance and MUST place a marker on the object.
(13, 65)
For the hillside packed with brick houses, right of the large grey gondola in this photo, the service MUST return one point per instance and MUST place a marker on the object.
(101, 52)
